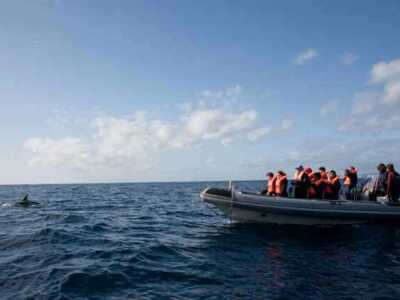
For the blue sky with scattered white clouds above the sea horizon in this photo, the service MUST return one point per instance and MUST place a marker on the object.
(95, 91)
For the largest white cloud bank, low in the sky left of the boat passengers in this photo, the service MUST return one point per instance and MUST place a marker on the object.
(137, 139)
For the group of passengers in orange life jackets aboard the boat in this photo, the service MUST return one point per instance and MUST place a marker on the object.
(322, 184)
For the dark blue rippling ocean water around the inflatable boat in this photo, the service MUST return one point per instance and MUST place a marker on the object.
(159, 241)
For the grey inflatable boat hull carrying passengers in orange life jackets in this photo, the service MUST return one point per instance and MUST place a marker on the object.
(256, 208)
